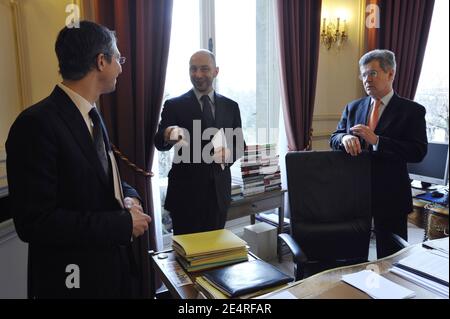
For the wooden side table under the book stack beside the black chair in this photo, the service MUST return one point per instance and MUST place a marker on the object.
(259, 203)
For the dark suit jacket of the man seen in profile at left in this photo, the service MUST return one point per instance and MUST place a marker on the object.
(64, 206)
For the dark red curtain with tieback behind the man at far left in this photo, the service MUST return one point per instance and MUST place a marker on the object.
(131, 113)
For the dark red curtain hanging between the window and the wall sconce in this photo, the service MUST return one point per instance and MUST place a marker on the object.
(299, 39)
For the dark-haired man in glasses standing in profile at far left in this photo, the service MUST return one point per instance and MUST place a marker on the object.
(68, 201)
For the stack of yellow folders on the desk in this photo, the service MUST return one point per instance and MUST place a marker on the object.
(200, 251)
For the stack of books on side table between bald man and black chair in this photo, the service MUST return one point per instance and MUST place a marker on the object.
(259, 170)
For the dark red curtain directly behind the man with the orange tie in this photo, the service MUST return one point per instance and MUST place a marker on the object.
(404, 29)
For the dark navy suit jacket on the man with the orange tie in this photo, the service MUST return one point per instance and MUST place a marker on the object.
(402, 138)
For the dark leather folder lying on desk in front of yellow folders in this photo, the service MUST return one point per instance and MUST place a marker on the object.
(245, 278)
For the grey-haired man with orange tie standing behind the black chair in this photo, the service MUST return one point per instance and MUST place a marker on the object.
(393, 129)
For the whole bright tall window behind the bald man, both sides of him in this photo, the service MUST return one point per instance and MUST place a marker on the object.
(241, 33)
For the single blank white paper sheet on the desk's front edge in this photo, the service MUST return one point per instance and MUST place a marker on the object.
(377, 286)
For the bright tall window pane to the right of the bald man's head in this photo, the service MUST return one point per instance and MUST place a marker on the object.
(245, 54)
